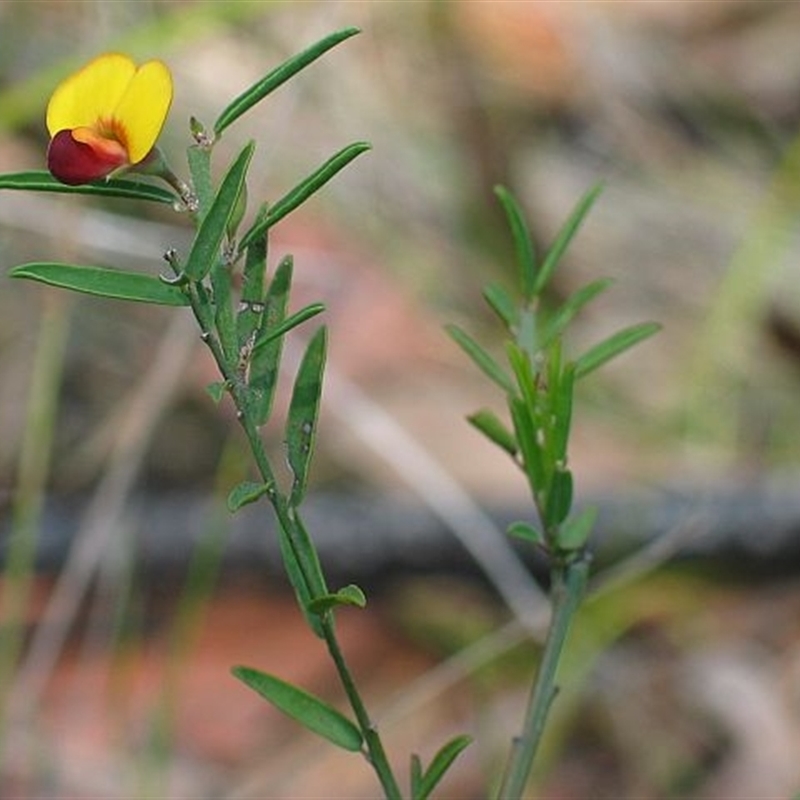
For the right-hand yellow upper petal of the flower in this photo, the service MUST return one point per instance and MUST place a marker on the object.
(143, 107)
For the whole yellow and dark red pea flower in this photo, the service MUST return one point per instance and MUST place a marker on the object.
(105, 117)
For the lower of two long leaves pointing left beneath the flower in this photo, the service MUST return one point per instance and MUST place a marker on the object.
(113, 283)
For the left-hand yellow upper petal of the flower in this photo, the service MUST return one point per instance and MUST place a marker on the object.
(91, 94)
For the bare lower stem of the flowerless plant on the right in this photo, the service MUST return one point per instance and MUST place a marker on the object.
(569, 583)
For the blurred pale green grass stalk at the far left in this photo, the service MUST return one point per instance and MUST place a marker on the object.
(34, 464)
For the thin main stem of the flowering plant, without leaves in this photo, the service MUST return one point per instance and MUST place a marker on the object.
(376, 754)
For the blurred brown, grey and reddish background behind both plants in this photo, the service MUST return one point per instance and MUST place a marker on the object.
(683, 677)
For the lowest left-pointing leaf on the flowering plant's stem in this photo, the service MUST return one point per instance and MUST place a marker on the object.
(307, 709)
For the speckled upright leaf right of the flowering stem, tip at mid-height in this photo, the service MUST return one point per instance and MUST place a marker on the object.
(301, 423)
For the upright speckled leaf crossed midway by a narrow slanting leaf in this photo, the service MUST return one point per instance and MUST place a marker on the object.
(265, 362)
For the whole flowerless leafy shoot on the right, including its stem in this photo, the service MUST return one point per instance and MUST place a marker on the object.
(539, 382)
